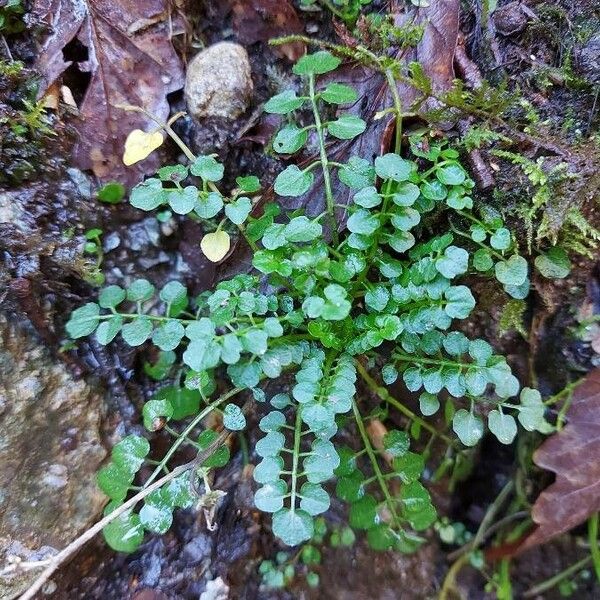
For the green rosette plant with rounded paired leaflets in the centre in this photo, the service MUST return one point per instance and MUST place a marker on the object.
(325, 305)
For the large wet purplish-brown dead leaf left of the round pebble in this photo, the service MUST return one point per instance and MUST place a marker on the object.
(127, 67)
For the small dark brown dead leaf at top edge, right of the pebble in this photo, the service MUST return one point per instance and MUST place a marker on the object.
(260, 20)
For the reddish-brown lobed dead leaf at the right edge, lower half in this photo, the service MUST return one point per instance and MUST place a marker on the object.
(574, 455)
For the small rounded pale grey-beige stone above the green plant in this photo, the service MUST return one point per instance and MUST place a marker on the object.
(218, 82)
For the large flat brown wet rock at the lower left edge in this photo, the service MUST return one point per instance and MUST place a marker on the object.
(48, 495)
